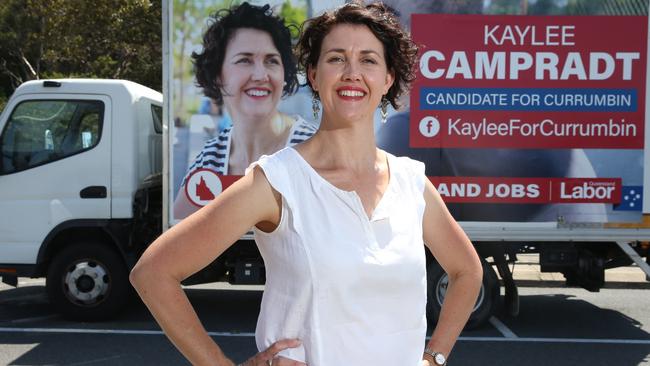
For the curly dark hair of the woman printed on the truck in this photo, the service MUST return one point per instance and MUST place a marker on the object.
(222, 26)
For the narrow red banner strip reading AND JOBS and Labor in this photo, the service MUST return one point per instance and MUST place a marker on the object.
(528, 190)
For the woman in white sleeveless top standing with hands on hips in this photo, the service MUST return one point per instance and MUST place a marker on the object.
(340, 224)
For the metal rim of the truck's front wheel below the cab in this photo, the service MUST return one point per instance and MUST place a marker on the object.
(87, 283)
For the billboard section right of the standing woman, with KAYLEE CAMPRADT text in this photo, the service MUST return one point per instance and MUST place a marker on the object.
(542, 114)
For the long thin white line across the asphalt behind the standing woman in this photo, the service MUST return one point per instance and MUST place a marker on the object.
(249, 334)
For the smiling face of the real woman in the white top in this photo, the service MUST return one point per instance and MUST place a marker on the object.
(351, 75)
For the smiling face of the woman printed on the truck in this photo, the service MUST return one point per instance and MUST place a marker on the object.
(252, 75)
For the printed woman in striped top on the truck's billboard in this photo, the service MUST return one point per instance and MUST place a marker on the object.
(247, 65)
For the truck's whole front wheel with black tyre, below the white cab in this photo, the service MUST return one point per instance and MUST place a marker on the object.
(88, 282)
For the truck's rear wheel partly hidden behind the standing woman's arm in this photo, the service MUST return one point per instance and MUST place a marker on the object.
(486, 303)
